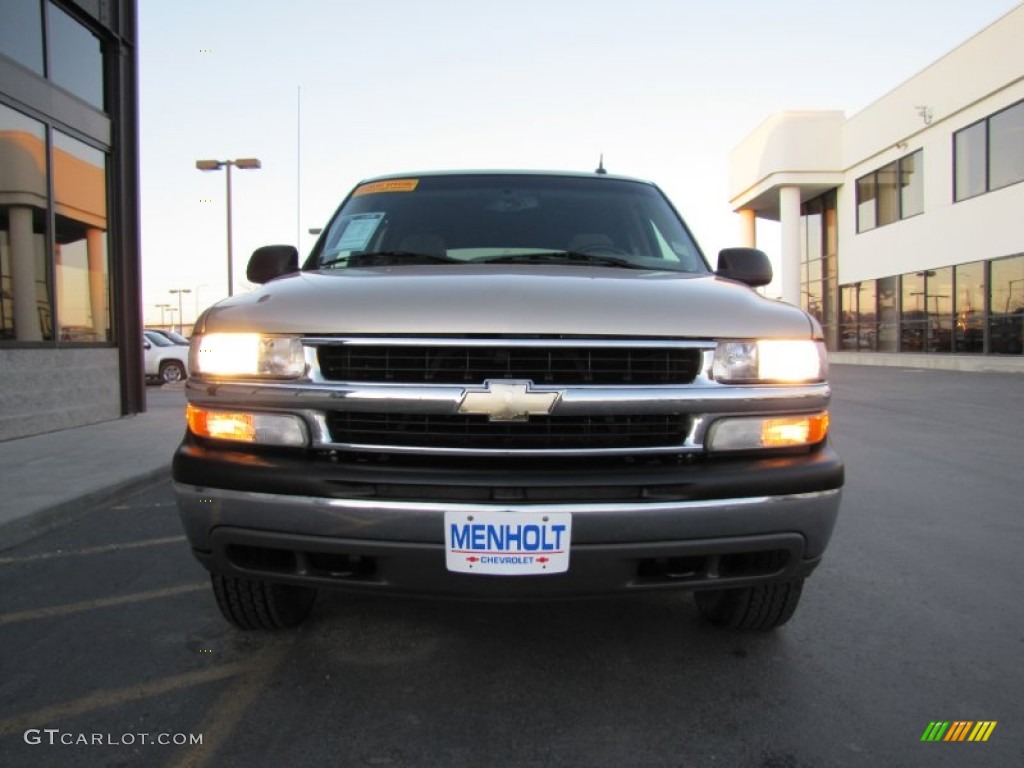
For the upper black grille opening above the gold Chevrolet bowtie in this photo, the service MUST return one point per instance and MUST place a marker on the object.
(556, 365)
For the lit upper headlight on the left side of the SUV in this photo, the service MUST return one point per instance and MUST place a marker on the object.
(248, 355)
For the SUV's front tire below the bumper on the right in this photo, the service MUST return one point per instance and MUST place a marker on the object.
(762, 608)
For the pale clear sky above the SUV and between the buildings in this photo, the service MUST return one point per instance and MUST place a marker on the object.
(328, 93)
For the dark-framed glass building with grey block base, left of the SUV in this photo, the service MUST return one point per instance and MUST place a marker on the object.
(70, 321)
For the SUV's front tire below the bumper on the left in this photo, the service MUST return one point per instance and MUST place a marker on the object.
(254, 605)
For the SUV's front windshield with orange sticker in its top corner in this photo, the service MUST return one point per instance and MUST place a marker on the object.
(508, 219)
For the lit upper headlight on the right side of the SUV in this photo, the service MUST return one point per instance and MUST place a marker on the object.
(771, 361)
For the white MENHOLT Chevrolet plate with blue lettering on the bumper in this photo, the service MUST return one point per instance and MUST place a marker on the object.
(508, 543)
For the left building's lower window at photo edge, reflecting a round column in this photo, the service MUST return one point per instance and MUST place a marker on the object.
(25, 305)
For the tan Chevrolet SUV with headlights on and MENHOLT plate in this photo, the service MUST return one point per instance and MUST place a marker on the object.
(507, 386)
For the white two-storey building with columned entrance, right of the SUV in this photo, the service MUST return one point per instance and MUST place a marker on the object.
(903, 227)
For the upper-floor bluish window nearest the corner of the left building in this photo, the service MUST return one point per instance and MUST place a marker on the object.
(76, 57)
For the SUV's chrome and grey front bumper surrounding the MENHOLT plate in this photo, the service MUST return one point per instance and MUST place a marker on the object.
(398, 547)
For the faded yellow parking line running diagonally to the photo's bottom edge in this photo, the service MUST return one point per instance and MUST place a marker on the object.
(233, 705)
